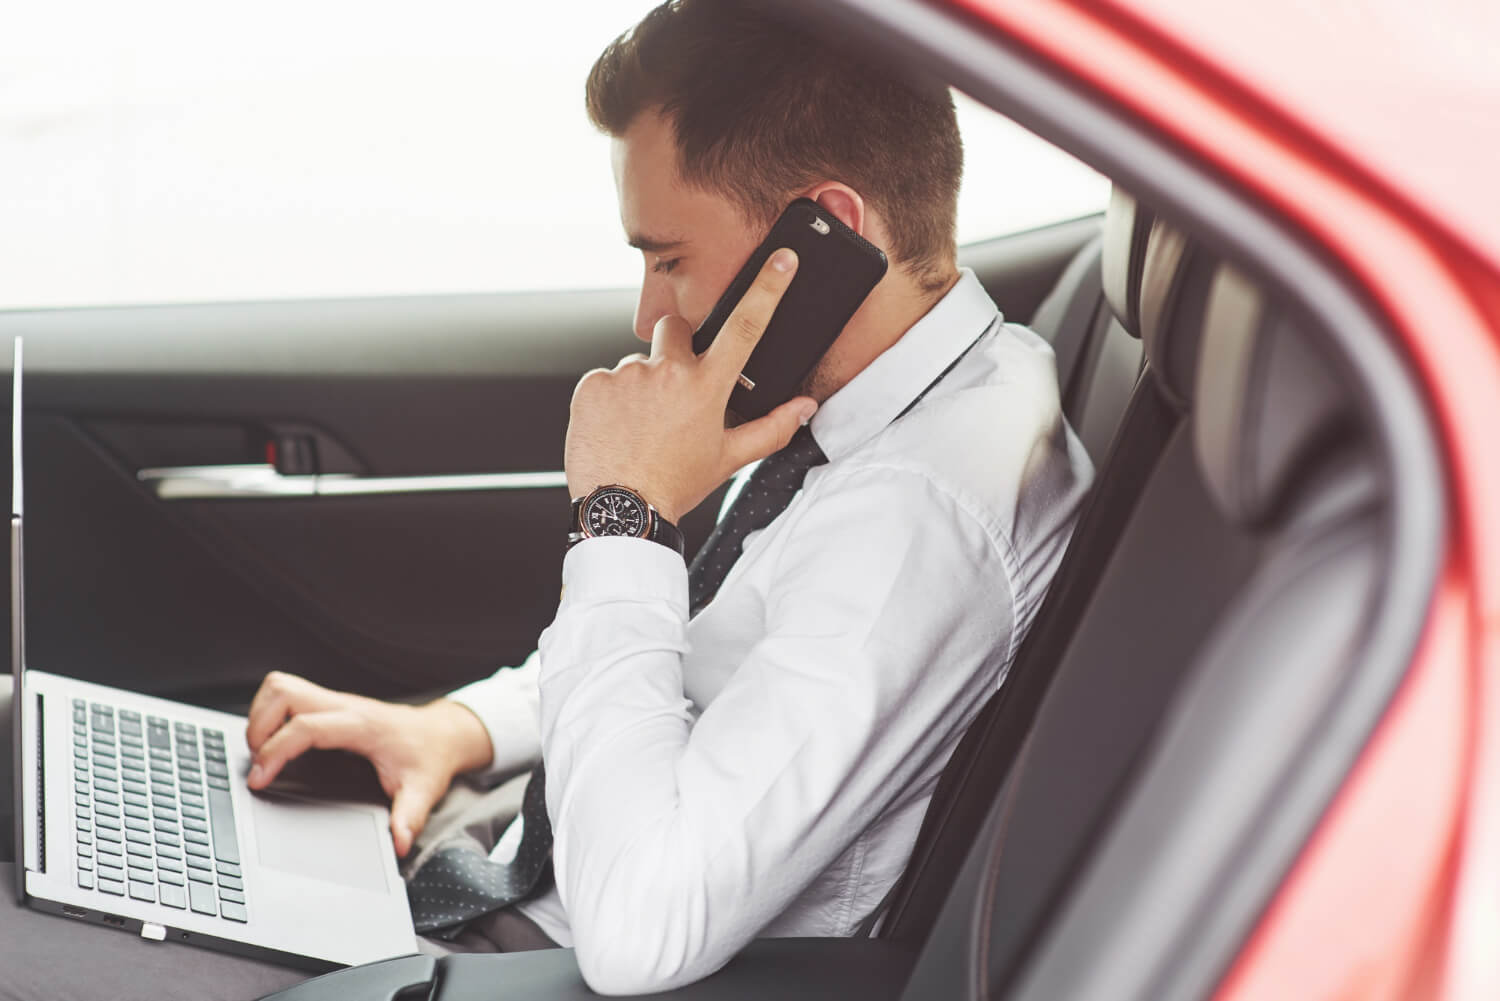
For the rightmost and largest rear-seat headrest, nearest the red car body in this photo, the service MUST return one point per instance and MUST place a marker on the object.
(1267, 401)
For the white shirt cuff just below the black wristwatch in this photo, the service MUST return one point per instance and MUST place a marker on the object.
(599, 571)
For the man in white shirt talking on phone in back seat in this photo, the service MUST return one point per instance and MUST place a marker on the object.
(749, 750)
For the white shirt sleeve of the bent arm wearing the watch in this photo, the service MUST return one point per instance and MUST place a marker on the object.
(677, 843)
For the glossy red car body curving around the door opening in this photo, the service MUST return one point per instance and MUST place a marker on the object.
(1372, 127)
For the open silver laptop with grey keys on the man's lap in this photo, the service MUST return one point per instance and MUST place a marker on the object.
(134, 813)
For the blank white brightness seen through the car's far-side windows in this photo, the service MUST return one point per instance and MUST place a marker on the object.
(178, 151)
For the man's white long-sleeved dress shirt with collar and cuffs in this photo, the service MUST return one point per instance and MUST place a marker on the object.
(763, 769)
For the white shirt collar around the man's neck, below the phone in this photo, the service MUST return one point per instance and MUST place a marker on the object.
(874, 398)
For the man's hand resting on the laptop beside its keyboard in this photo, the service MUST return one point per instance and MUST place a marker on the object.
(416, 750)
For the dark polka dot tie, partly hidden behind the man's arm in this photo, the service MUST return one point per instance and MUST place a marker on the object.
(458, 883)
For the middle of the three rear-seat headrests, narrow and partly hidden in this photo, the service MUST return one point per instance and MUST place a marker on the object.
(1175, 283)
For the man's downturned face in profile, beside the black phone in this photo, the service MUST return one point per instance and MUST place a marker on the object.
(692, 242)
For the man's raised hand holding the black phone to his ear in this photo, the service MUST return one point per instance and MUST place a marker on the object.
(658, 424)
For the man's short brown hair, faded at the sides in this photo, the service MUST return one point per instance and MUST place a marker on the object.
(763, 110)
